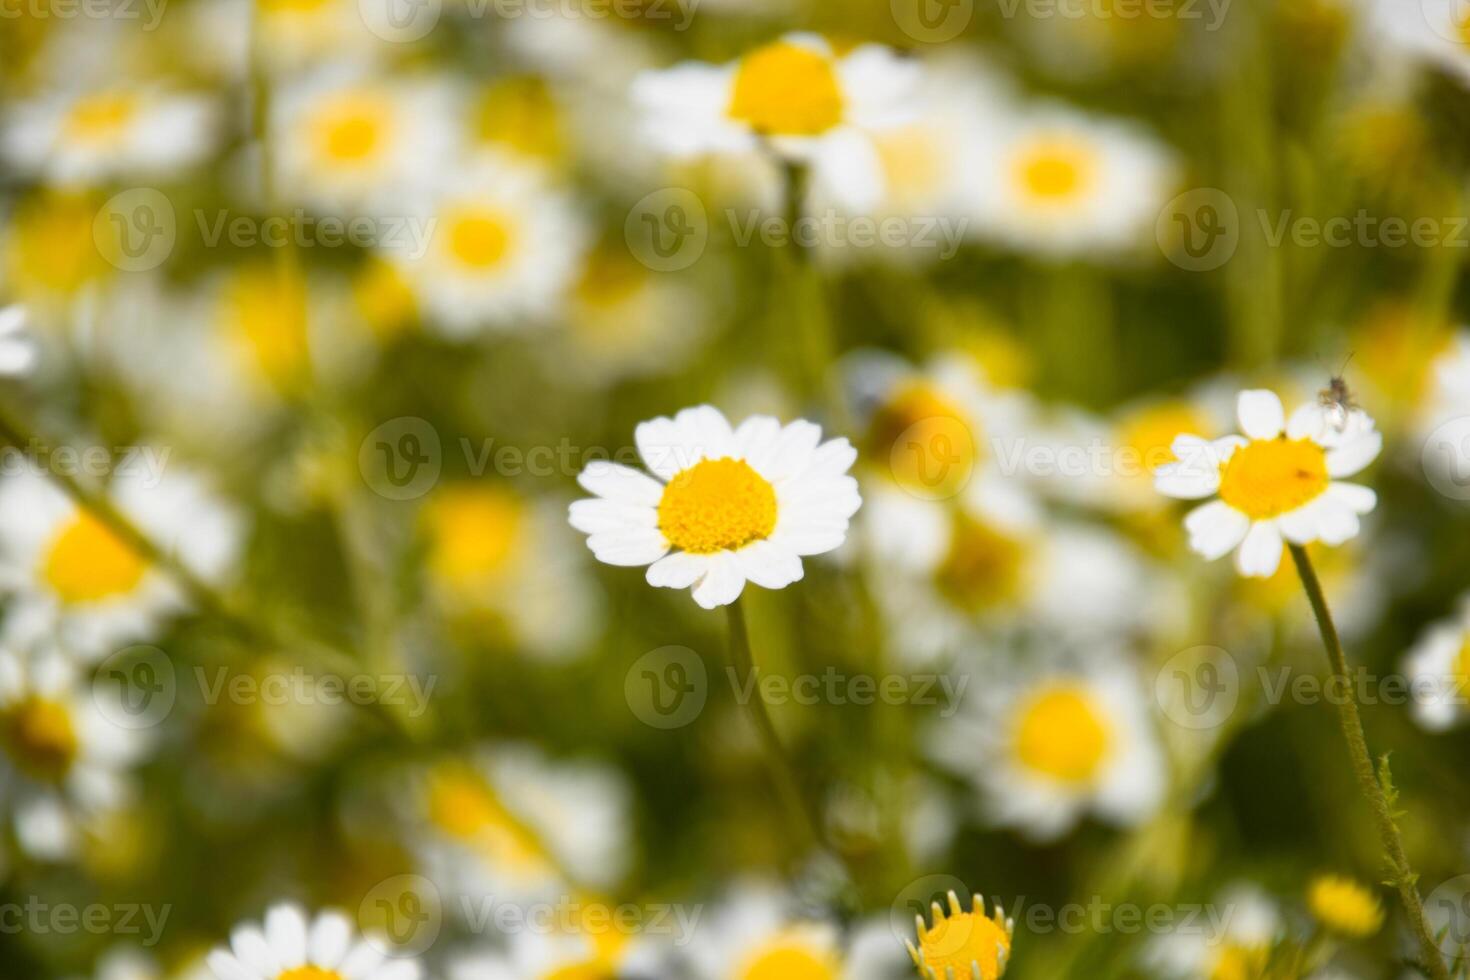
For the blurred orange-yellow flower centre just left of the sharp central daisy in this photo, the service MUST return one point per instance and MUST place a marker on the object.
(474, 534)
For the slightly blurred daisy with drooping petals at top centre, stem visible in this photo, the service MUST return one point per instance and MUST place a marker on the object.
(799, 96)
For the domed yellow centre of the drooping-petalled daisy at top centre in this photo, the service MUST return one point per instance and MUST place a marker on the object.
(787, 90)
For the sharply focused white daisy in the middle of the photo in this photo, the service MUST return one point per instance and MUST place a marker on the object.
(724, 506)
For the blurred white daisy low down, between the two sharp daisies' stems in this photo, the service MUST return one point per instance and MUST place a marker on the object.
(1046, 750)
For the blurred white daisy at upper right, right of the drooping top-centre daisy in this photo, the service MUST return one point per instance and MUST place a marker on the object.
(1062, 183)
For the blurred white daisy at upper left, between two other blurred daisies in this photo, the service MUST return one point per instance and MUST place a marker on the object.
(348, 143)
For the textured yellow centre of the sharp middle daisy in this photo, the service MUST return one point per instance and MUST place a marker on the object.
(717, 506)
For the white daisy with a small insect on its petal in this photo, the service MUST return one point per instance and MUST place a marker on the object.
(1281, 481)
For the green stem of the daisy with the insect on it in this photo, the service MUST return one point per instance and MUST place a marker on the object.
(1405, 876)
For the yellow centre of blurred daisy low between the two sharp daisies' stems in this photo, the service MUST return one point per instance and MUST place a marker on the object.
(1062, 735)
